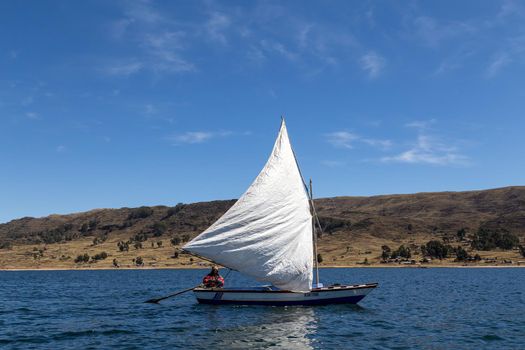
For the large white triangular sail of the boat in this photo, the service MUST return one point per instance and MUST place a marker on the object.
(267, 233)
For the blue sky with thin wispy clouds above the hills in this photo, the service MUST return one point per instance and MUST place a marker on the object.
(111, 104)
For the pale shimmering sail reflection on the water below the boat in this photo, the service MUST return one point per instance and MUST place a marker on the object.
(288, 328)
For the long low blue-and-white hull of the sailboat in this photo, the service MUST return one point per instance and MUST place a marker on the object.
(266, 296)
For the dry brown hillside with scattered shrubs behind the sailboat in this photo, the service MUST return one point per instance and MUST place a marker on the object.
(354, 228)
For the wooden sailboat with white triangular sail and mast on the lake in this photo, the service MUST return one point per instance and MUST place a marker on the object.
(269, 235)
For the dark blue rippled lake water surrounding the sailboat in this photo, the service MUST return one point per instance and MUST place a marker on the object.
(412, 309)
